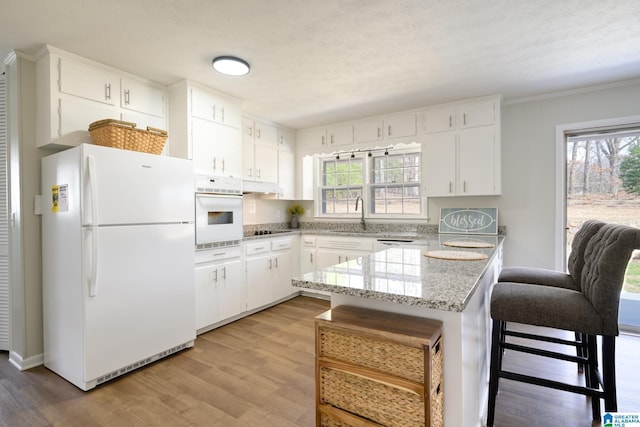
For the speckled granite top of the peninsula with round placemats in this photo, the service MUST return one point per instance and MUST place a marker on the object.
(402, 274)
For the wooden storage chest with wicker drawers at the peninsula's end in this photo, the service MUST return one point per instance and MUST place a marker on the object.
(376, 368)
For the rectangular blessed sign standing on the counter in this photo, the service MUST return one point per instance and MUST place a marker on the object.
(469, 220)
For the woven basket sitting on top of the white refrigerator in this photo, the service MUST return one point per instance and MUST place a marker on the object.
(124, 135)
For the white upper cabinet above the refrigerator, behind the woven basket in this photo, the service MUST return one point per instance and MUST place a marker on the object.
(73, 92)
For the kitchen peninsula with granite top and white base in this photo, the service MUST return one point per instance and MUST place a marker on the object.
(402, 279)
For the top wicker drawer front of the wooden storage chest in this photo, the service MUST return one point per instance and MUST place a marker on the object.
(372, 352)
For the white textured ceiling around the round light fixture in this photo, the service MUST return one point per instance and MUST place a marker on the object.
(321, 61)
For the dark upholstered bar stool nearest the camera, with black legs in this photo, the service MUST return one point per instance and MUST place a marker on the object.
(591, 310)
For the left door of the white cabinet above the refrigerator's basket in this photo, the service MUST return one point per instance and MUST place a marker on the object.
(88, 82)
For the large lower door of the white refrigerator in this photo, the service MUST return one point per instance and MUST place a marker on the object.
(144, 299)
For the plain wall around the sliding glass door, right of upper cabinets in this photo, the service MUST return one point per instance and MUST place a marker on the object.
(528, 202)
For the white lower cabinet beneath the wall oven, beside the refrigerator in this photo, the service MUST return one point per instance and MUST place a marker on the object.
(220, 286)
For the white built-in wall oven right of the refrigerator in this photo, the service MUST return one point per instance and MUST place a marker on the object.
(218, 209)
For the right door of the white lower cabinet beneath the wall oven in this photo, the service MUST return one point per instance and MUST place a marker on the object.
(232, 294)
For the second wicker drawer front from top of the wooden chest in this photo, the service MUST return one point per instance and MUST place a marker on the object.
(384, 404)
